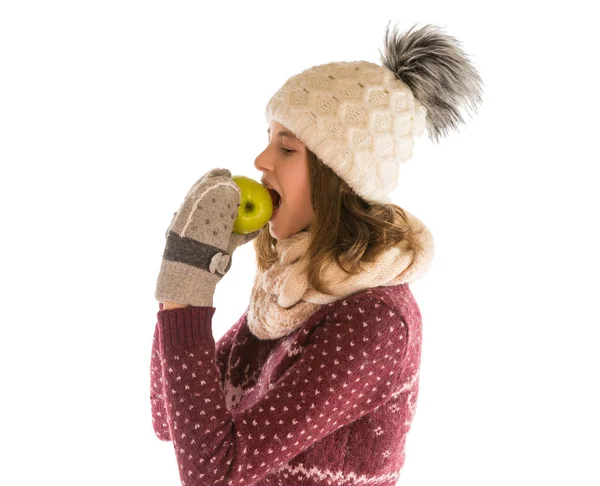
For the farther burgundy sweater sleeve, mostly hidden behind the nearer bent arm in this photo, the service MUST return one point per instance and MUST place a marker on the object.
(157, 402)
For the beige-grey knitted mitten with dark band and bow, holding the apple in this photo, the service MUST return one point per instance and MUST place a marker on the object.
(200, 241)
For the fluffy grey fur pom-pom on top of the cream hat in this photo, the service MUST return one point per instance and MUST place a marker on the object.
(438, 73)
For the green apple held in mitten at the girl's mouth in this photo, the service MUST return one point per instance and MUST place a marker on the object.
(256, 205)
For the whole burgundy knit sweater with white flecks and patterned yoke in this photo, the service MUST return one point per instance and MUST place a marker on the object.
(329, 404)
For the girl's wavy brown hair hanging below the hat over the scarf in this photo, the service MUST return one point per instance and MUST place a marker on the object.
(346, 228)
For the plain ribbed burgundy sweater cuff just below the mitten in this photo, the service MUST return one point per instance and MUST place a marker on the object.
(186, 326)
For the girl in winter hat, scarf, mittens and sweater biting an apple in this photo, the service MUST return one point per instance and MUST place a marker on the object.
(318, 380)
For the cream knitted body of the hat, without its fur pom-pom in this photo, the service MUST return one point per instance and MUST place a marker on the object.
(357, 117)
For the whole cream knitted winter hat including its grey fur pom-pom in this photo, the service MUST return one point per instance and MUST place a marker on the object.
(361, 118)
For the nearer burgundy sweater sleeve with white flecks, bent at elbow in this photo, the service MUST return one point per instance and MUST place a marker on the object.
(348, 368)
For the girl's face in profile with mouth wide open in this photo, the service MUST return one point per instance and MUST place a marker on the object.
(285, 166)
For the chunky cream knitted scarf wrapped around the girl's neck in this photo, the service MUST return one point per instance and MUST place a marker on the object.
(281, 300)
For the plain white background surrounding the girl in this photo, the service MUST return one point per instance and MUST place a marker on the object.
(110, 111)
